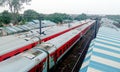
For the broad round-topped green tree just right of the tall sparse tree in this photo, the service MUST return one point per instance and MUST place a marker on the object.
(30, 15)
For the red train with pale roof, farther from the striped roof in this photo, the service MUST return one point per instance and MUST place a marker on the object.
(16, 45)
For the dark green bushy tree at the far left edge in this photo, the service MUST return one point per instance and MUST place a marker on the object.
(5, 17)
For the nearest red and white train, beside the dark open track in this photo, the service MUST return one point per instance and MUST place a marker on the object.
(44, 56)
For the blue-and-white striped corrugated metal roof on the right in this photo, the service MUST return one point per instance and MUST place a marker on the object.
(104, 52)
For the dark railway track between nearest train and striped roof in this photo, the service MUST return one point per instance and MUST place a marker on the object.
(72, 61)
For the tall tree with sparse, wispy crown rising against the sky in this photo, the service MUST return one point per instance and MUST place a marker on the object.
(14, 6)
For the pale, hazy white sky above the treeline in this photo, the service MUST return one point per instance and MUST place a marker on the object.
(74, 6)
